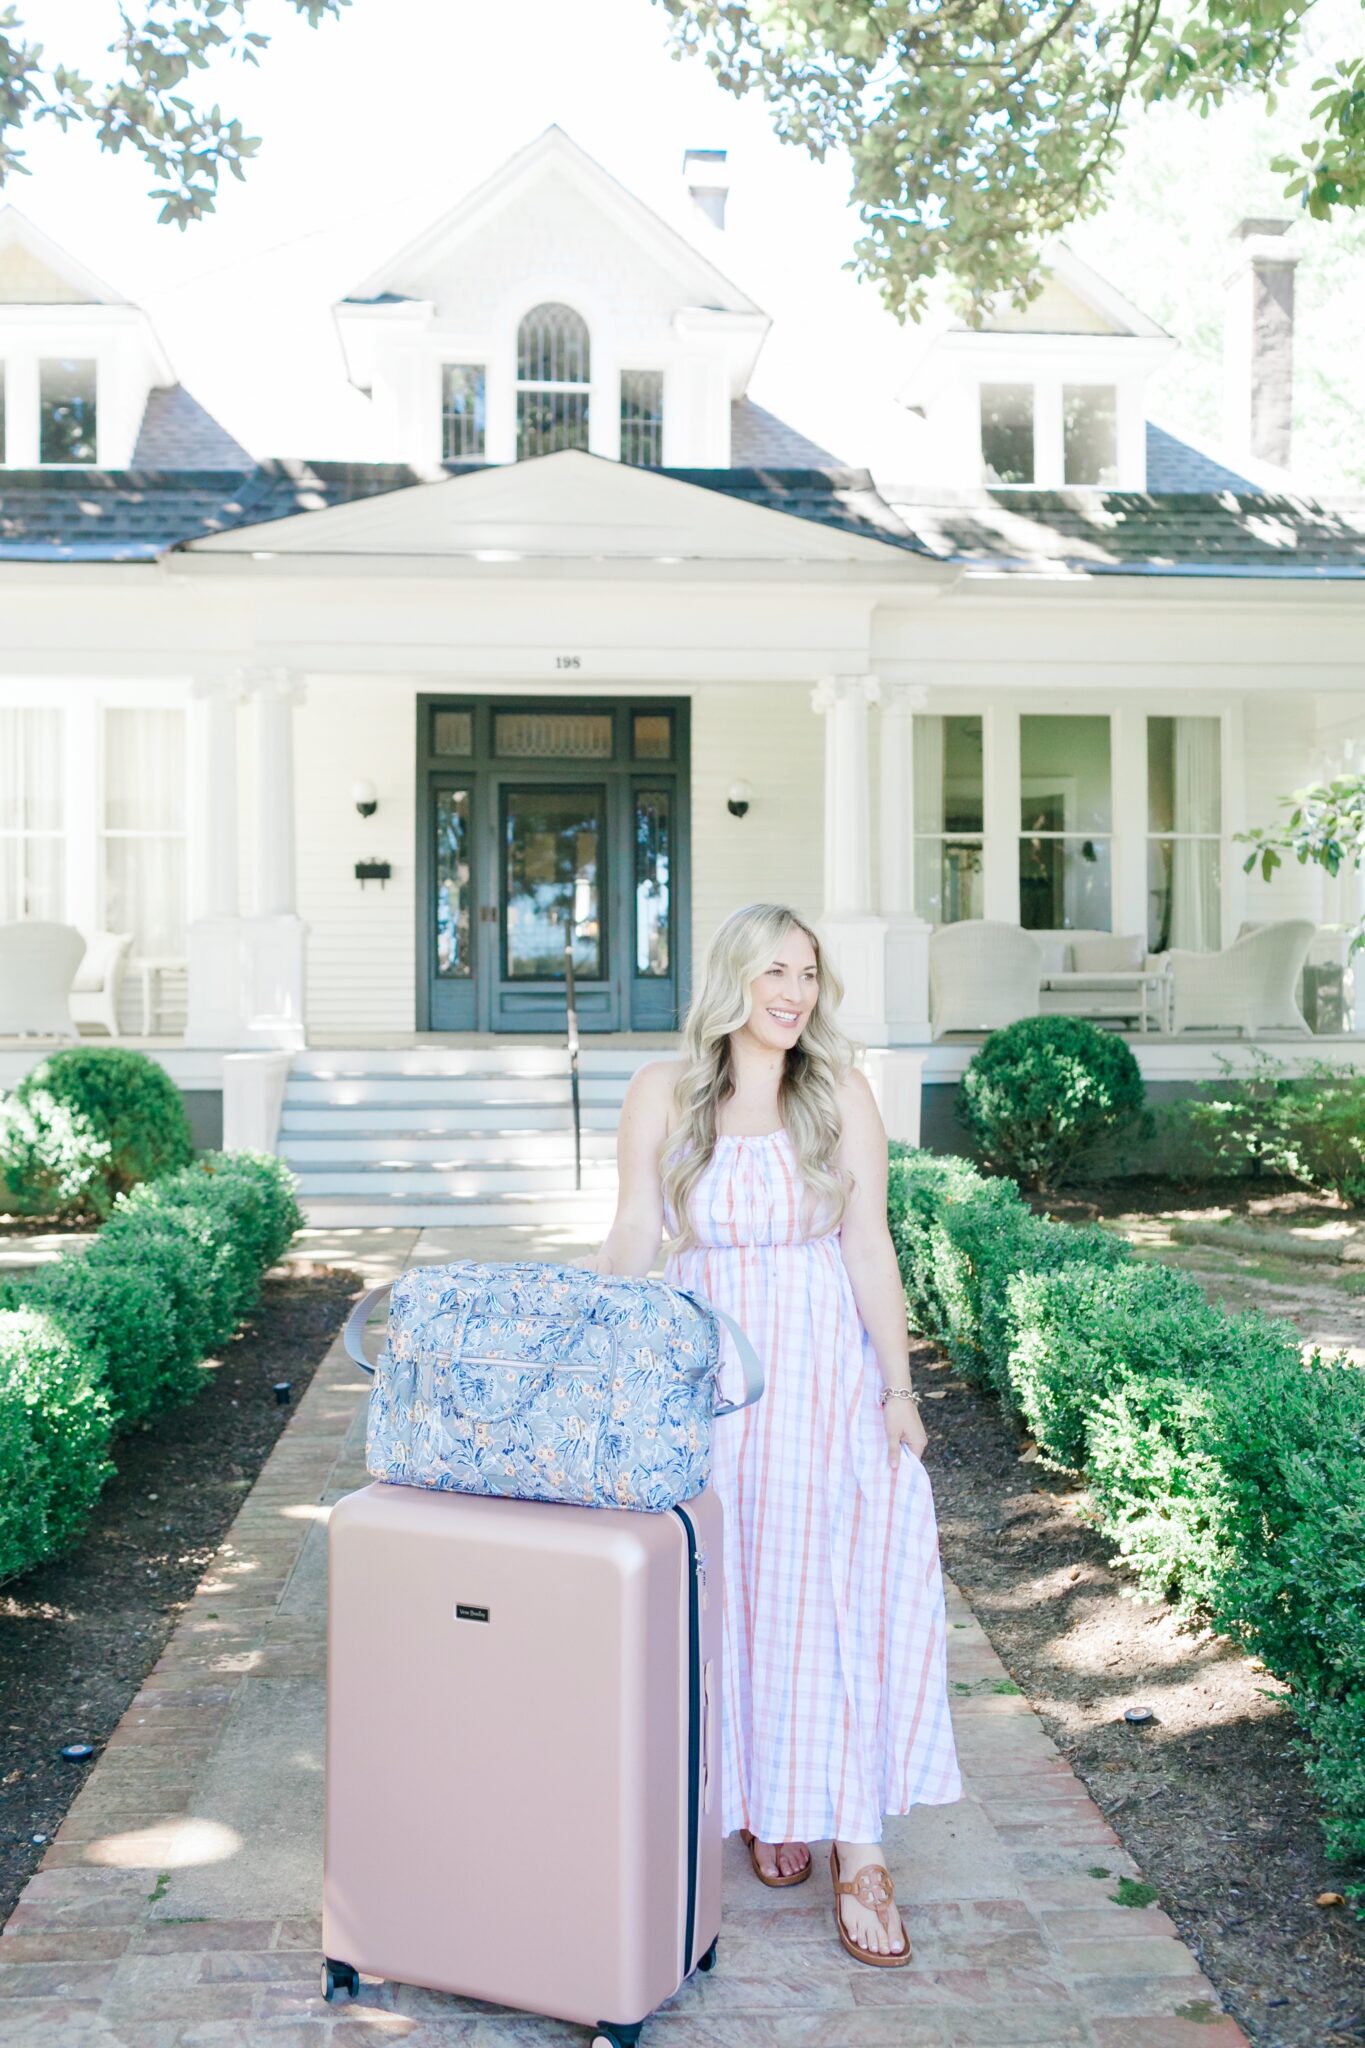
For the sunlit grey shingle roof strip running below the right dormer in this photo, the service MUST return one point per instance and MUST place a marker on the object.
(1139, 534)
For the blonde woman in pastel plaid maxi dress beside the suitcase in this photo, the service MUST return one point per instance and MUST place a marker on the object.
(764, 1156)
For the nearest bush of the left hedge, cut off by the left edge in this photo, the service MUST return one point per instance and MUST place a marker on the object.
(54, 1431)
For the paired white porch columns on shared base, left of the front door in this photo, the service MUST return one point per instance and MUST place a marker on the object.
(247, 972)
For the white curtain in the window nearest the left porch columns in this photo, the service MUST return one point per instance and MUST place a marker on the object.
(144, 830)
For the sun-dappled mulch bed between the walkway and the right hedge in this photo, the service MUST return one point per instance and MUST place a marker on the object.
(1210, 1797)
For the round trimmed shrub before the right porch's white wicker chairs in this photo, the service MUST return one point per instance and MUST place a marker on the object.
(1045, 1093)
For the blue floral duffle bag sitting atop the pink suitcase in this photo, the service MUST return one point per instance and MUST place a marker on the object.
(545, 1383)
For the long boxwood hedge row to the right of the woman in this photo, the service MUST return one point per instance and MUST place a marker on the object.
(1227, 1467)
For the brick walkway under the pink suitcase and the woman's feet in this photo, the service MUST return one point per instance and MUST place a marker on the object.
(179, 1904)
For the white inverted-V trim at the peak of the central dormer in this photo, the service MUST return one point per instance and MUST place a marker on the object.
(554, 155)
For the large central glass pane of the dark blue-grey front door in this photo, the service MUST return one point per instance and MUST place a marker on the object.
(552, 880)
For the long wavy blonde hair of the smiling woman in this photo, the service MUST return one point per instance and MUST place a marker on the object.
(740, 951)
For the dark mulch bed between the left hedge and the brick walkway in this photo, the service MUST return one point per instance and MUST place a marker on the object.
(79, 1635)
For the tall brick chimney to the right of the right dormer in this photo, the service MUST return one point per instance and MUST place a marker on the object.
(1260, 343)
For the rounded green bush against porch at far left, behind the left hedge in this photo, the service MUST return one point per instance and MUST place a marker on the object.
(87, 1125)
